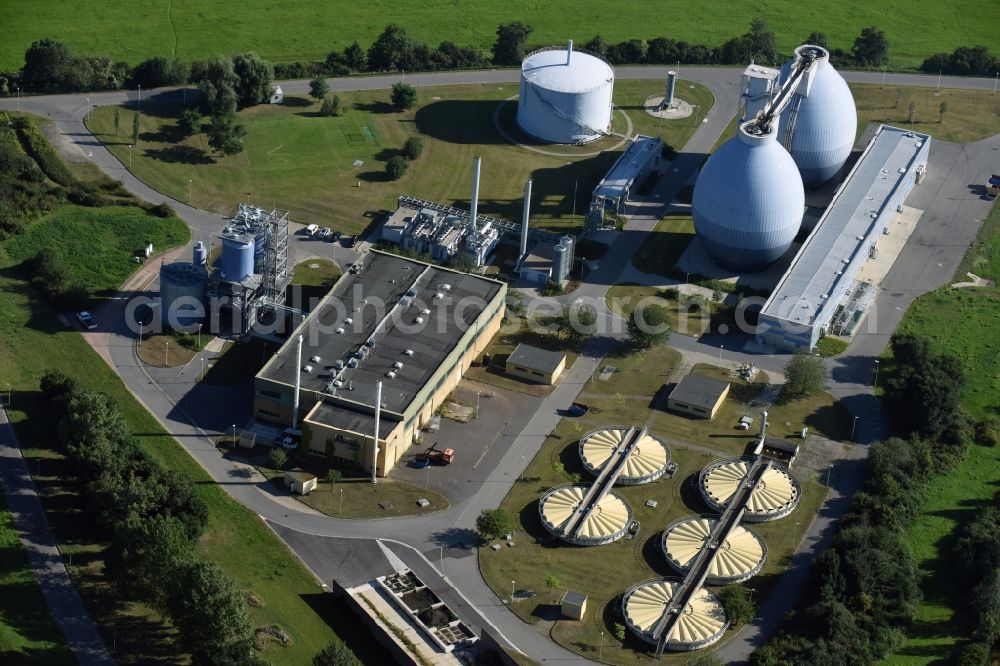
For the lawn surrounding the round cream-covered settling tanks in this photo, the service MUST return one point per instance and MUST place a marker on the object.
(605, 572)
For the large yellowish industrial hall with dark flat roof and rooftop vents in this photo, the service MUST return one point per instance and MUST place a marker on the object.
(410, 325)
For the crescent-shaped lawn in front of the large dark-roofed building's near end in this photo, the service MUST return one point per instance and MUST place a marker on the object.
(354, 496)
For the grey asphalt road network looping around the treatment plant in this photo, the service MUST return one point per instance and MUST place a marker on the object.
(927, 261)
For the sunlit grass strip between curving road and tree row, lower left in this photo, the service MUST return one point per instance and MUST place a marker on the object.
(31, 340)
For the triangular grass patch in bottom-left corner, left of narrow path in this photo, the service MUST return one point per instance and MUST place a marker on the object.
(28, 635)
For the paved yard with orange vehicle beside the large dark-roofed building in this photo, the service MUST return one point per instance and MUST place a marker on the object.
(479, 445)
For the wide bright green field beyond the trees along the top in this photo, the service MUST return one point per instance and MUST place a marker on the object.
(302, 30)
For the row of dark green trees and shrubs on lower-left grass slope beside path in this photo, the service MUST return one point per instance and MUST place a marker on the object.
(154, 518)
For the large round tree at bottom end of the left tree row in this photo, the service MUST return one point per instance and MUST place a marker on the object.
(210, 613)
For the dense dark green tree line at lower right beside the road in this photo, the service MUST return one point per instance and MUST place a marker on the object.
(863, 591)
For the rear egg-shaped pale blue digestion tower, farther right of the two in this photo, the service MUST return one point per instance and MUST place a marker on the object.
(819, 124)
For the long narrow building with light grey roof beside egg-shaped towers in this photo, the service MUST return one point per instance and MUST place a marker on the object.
(813, 290)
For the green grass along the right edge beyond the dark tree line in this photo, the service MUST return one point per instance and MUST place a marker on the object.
(954, 498)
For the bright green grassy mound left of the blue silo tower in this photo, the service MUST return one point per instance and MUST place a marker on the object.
(96, 245)
